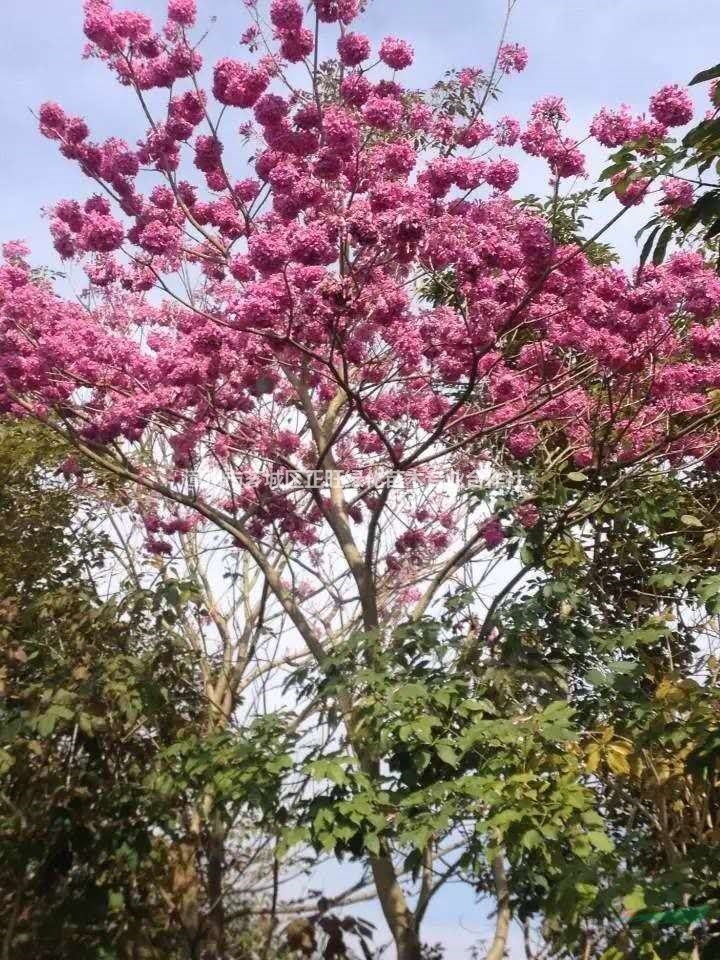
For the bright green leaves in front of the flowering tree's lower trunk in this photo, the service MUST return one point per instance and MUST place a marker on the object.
(459, 750)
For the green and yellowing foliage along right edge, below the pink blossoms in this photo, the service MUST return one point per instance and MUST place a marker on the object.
(627, 630)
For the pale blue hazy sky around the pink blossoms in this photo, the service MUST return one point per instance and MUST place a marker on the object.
(593, 52)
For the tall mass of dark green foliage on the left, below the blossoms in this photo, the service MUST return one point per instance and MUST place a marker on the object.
(115, 777)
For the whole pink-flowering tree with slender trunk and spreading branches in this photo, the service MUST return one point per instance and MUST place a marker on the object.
(265, 354)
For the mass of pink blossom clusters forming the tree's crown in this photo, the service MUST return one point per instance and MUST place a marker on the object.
(305, 275)
